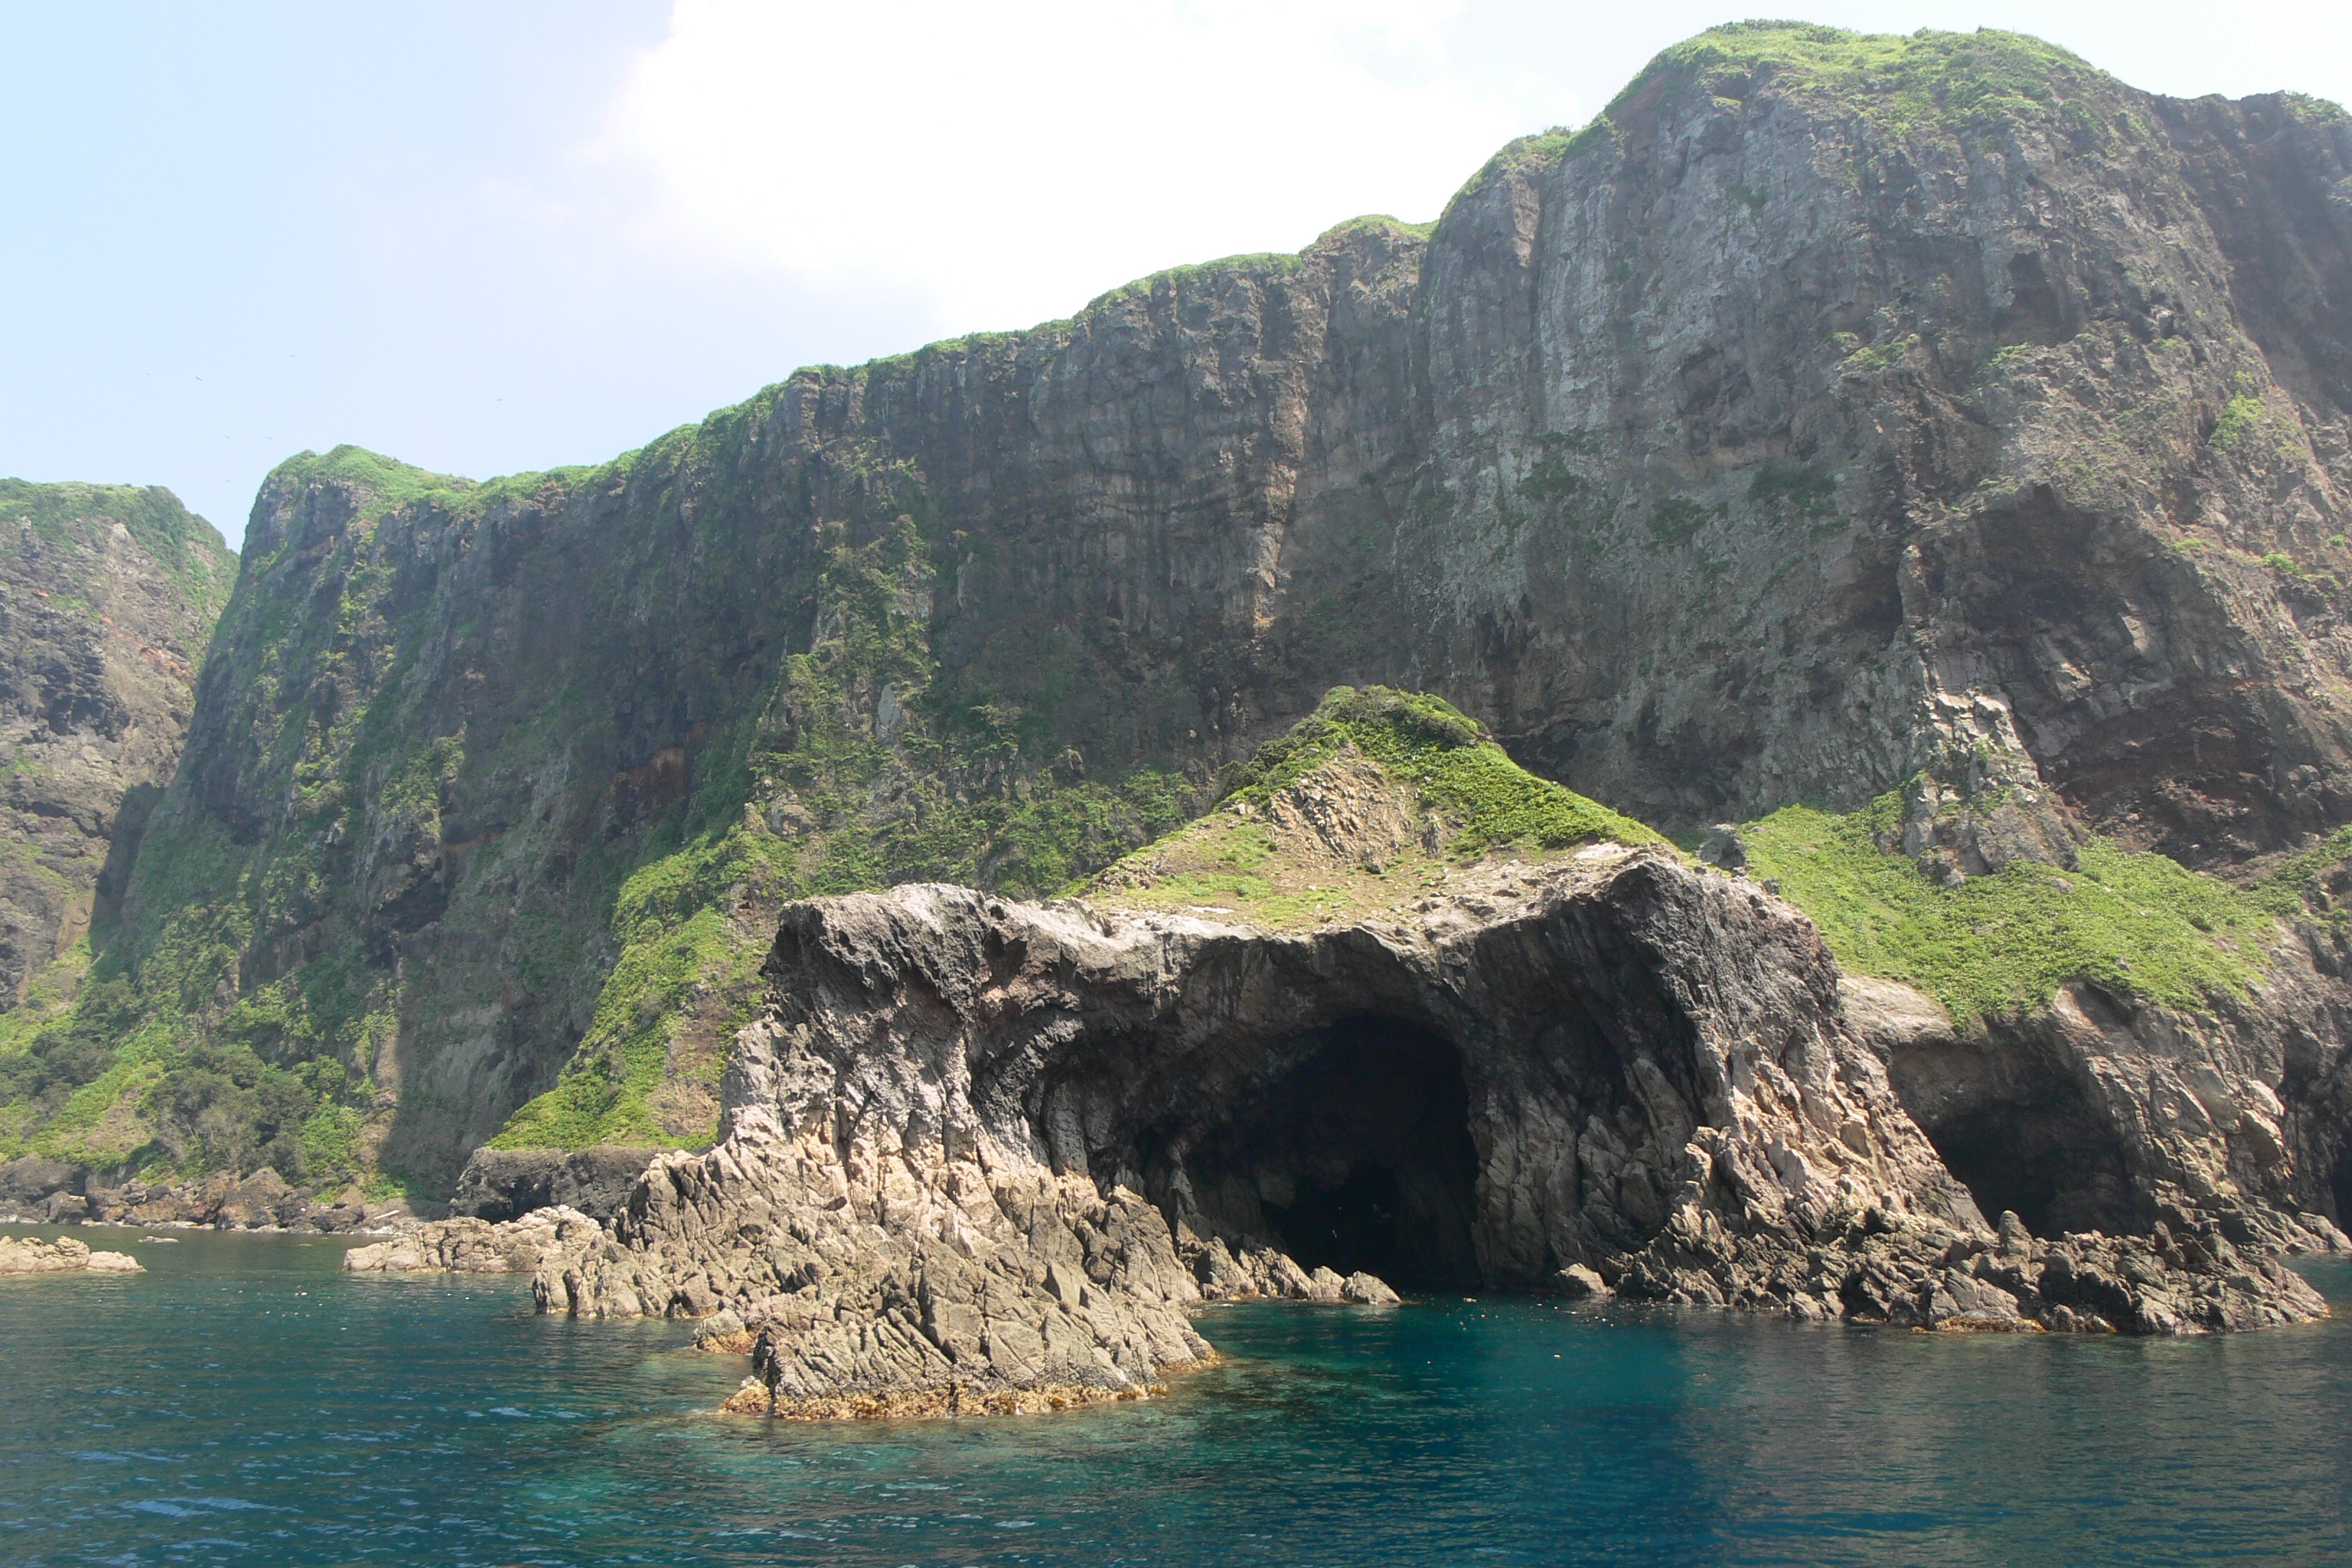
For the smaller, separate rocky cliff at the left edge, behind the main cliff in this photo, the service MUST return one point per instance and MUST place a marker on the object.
(107, 603)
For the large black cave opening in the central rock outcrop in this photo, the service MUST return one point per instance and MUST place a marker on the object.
(1358, 1158)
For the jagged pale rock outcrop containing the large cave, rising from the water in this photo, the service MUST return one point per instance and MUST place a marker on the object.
(980, 1146)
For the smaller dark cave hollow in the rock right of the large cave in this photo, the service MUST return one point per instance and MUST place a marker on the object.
(2047, 1158)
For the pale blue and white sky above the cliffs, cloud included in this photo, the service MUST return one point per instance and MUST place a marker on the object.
(505, 236)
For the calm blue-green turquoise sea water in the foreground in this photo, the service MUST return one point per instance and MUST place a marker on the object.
(246, 1402)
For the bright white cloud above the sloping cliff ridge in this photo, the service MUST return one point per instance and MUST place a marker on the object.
(1013, 161)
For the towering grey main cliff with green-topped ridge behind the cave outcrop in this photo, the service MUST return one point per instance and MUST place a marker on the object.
(1829, 413)
